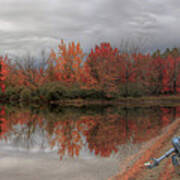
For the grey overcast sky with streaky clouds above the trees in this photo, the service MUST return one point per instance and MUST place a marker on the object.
(32, 25)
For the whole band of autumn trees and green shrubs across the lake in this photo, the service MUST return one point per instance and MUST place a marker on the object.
(104, 73)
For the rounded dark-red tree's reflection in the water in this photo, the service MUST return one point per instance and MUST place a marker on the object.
(108, 132)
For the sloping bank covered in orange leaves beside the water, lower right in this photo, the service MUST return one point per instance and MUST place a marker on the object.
(134, 167)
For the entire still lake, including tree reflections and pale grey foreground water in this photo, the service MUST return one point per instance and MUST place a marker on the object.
(75, 143)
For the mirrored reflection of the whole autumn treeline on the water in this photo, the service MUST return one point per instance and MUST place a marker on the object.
(69, 130)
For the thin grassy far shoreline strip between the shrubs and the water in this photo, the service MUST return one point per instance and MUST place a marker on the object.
(123, 101)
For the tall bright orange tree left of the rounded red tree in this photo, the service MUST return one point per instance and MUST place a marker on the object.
(65, 65)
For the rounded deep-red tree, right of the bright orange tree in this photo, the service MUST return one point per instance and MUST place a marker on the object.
(101, 65)
